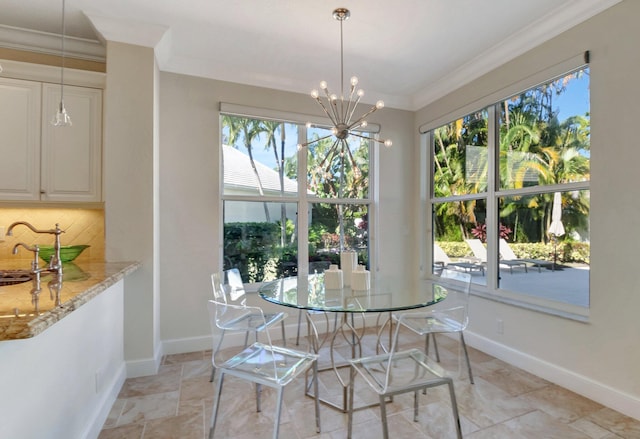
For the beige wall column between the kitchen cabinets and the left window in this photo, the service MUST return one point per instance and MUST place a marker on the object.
(130, 191)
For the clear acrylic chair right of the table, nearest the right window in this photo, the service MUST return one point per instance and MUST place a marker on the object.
(449, 317)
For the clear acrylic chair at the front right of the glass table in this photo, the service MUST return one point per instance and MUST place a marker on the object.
(398, 372)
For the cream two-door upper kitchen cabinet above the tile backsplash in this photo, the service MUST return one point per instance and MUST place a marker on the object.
(40, 162)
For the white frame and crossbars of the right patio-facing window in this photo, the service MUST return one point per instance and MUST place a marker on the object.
(493, 193)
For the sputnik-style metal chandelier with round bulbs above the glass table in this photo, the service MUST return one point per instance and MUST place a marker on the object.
(340, 110)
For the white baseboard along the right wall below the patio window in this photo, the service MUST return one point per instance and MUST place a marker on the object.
(585, 386)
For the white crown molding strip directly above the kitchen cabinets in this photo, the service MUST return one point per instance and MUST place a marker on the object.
(47, 43)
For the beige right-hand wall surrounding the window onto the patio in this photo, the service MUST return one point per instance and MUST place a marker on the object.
(600, 358)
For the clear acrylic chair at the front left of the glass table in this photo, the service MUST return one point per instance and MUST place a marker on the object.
(260, 363)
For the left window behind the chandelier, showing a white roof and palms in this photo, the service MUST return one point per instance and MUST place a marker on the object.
(285, 210)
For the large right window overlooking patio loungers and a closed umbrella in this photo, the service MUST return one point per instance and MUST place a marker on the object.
(514, 178)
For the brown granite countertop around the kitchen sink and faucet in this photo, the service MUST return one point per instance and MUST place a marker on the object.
(81, 282)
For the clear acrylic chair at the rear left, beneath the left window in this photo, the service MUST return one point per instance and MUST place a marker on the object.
(228, 288)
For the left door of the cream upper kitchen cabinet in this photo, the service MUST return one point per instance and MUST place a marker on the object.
(19, 139)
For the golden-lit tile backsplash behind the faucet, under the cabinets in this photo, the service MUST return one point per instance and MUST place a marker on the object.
(81, 226)
